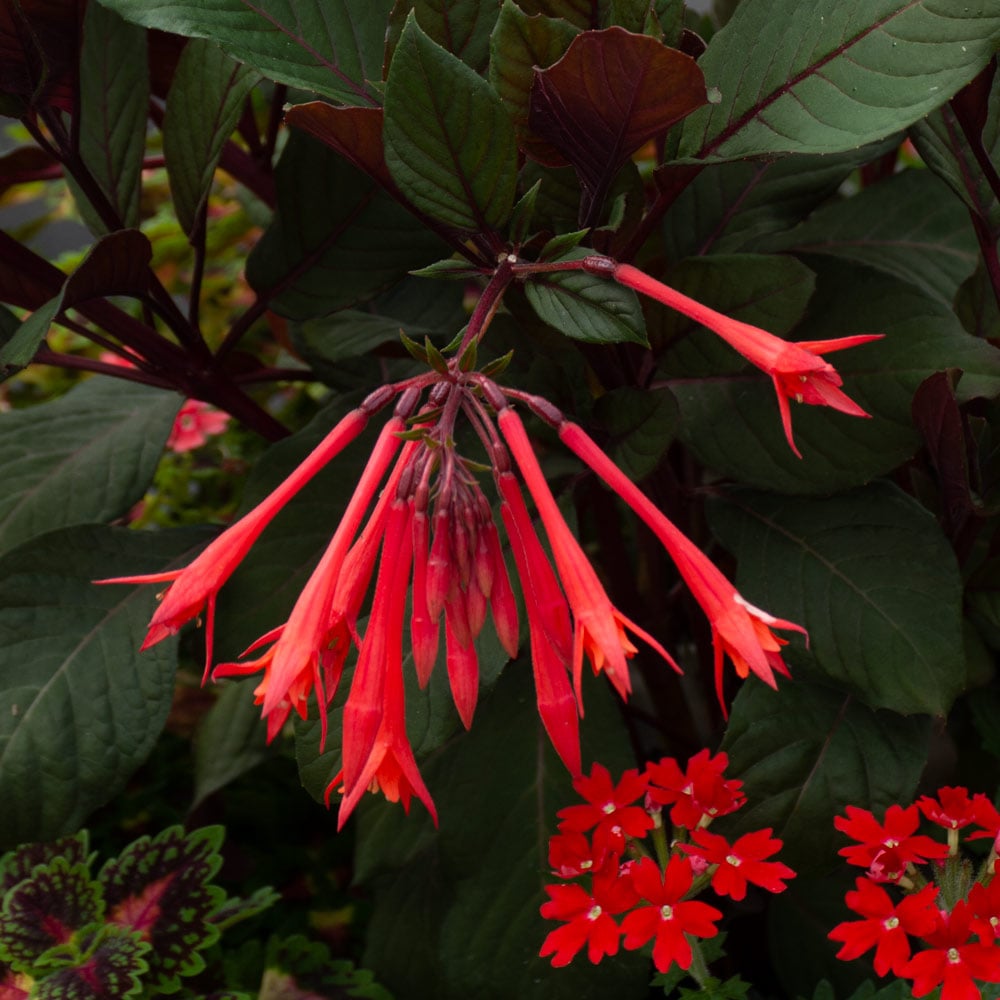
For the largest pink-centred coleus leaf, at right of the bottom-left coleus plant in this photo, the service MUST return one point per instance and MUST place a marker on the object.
(160, 887)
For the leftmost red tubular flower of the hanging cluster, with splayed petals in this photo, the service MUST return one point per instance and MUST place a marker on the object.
(196, 586)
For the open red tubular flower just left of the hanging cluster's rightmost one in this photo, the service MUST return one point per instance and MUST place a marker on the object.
(599, 627)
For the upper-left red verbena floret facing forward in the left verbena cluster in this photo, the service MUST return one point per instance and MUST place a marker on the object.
(610, 810)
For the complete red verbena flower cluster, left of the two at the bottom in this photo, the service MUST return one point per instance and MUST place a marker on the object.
(615, 857)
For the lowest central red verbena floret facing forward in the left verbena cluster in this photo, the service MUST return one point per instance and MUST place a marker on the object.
(669, 918)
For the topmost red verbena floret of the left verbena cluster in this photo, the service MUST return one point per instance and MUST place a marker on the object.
(698, 794)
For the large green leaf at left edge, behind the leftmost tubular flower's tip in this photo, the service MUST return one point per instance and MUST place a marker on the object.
(74, 727)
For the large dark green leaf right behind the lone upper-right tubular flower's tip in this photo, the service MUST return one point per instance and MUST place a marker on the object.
(730, 422)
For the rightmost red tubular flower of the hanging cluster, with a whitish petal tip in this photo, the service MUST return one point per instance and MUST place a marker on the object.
(739, 630)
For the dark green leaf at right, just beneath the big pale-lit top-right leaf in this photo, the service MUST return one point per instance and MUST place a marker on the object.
(909, 226)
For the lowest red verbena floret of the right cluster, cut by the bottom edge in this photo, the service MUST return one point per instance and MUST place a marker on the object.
(951, 960)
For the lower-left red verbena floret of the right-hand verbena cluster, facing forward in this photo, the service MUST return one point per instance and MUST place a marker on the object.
(886, 926)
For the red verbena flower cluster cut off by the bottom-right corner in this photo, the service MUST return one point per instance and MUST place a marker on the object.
(939, 927)
